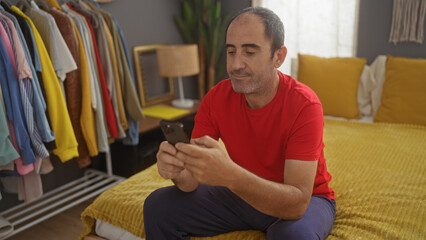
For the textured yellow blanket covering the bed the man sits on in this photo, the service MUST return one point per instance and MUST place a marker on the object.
(379, 177)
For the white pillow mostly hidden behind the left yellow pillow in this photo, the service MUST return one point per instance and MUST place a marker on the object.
(365, 86)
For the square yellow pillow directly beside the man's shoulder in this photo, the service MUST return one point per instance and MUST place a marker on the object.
(335, 81)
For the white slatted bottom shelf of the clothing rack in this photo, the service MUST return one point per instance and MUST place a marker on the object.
(93, 183)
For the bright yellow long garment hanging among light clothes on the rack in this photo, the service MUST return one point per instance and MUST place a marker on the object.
(66, 143)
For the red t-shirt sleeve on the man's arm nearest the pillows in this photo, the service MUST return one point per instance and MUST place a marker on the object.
(306, 136)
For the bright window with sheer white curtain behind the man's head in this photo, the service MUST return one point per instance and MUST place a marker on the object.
(326, 28)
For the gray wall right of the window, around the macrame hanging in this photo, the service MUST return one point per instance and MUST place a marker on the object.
(375, 20)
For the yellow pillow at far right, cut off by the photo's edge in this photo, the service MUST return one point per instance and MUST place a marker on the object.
(404, 91)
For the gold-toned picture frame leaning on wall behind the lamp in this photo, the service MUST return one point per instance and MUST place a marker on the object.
(153, 89)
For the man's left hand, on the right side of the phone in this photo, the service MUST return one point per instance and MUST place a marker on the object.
(207, 161)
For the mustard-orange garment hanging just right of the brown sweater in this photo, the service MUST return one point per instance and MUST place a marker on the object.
(87, 119)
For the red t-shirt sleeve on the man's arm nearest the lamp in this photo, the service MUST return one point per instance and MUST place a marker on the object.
(204, 123)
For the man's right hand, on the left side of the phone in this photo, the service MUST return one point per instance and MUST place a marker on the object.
(169, 167)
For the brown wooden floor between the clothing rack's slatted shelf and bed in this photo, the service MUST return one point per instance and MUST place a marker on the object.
(64, 226)
